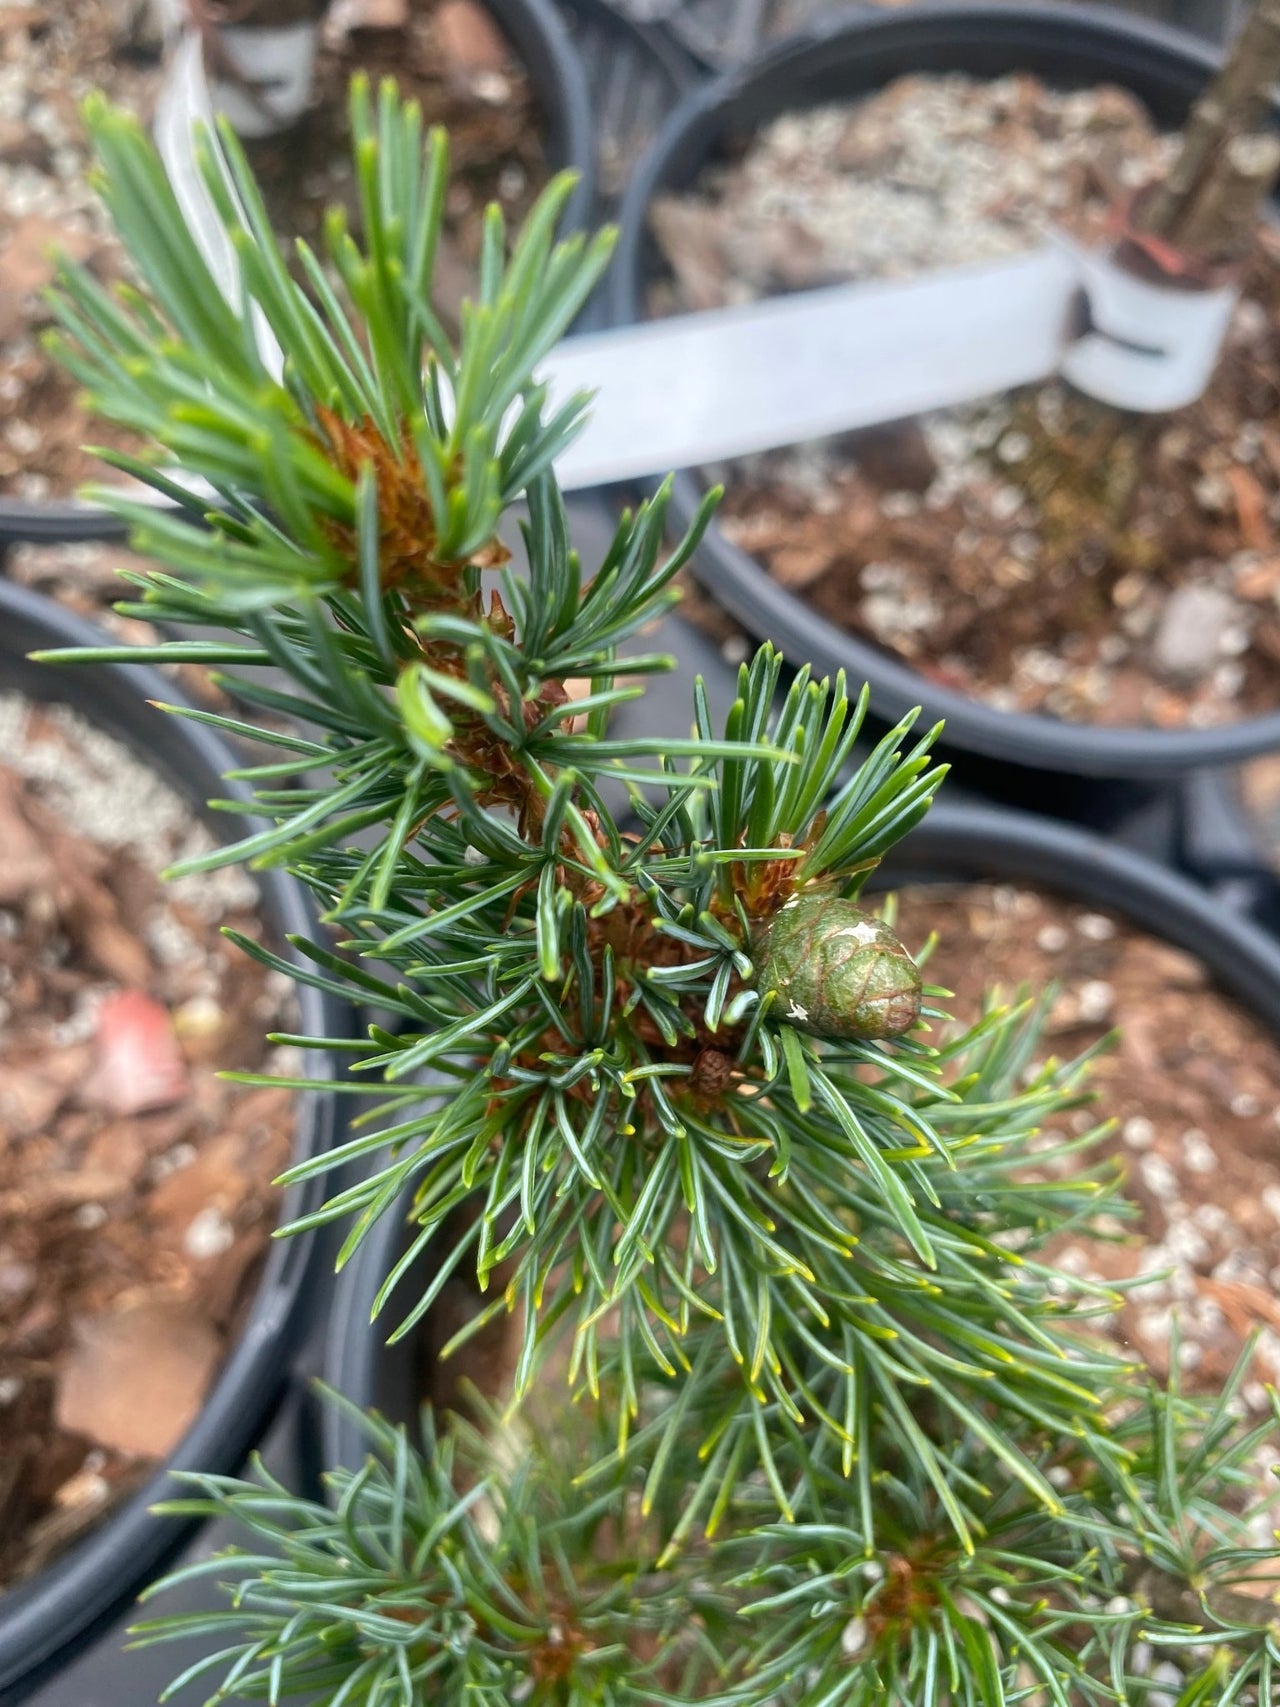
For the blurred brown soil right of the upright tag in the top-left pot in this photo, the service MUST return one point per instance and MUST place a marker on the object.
(455, 62)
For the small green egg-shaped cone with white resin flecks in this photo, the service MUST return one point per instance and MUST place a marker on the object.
(839, 972)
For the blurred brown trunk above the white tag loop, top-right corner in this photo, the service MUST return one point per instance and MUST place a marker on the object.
(1228, 161)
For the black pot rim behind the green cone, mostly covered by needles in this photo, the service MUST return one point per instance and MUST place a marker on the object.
(957, 844)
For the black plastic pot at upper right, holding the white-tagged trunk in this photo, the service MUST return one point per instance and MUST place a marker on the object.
(842, 59)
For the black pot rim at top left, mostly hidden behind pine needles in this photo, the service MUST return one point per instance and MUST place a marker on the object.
(545, 49)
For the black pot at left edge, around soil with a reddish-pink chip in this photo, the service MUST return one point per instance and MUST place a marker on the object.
(45, 1623)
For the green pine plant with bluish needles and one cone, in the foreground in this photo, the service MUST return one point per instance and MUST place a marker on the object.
(658, 1080)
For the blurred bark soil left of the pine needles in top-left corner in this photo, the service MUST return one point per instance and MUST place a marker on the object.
(50, 59)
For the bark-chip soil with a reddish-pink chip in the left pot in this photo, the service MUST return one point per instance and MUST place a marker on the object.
(136, 1187)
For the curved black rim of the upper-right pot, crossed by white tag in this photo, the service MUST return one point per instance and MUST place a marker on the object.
(742, 583)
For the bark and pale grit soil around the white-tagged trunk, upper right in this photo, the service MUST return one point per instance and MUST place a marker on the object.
(1035, 552)
